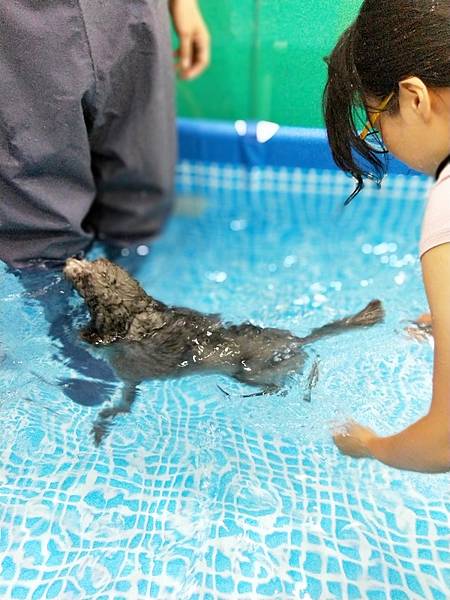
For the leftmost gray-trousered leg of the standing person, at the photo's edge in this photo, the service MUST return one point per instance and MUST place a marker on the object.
(48, 84)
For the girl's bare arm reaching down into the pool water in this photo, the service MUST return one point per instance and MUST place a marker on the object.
(425, 445)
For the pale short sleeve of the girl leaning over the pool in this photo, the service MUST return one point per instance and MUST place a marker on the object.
(436, 220)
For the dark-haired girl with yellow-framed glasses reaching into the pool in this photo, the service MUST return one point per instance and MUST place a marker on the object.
(393, 63)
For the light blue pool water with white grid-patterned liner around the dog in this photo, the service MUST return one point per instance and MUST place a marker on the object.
(197, 495)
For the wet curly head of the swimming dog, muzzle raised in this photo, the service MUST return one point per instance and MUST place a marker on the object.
(111, 294)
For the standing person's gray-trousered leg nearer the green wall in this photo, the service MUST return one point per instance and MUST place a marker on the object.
(133, 137)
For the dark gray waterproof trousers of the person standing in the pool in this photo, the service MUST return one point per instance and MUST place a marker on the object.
(87, 139)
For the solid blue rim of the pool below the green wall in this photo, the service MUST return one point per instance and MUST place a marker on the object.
(212, 141)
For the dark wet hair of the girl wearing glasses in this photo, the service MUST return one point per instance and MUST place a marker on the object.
(388, 42)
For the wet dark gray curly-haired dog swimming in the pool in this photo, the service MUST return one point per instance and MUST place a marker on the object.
(145, 339)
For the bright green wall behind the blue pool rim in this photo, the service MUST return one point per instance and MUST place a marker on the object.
(267, 59)
